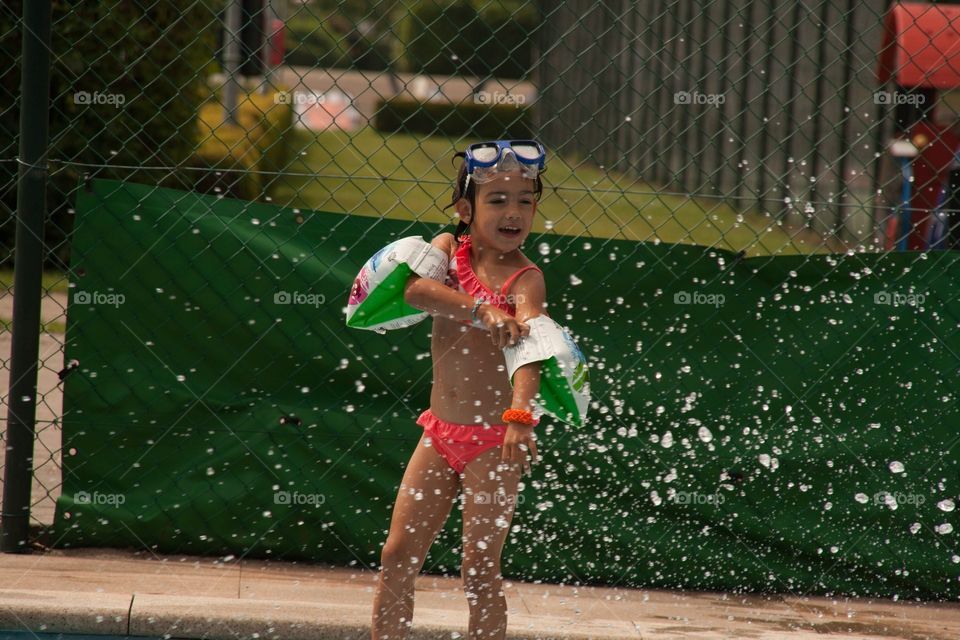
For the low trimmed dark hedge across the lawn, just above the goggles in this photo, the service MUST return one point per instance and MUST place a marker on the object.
(466, 119)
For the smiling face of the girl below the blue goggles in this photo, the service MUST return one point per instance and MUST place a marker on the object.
(505, 207)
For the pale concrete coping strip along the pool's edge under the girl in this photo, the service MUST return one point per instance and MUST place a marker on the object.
(152, 615)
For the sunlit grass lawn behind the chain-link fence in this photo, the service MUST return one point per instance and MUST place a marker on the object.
(406, 177)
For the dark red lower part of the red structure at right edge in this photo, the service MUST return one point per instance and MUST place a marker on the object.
(937, 145)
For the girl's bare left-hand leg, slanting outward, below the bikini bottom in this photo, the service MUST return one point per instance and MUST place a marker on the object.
(427, 492)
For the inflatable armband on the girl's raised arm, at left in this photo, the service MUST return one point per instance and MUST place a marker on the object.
(376, 297)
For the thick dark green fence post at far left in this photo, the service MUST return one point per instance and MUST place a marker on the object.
(28, 267)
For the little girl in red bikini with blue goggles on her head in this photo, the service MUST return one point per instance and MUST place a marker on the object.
(478, 430)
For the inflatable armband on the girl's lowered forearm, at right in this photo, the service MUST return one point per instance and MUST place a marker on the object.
(564, 380)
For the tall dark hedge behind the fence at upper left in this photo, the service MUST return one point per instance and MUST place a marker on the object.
(147, 55)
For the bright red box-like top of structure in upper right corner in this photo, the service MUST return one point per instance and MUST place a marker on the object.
(921, 46)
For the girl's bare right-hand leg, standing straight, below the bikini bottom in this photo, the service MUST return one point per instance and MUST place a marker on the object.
(489, 500)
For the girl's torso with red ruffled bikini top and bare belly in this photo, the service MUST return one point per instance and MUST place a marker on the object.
(470, 384)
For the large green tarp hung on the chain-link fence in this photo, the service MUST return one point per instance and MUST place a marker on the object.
(782, 424)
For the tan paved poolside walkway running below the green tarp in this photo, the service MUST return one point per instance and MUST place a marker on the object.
(119, 592)
